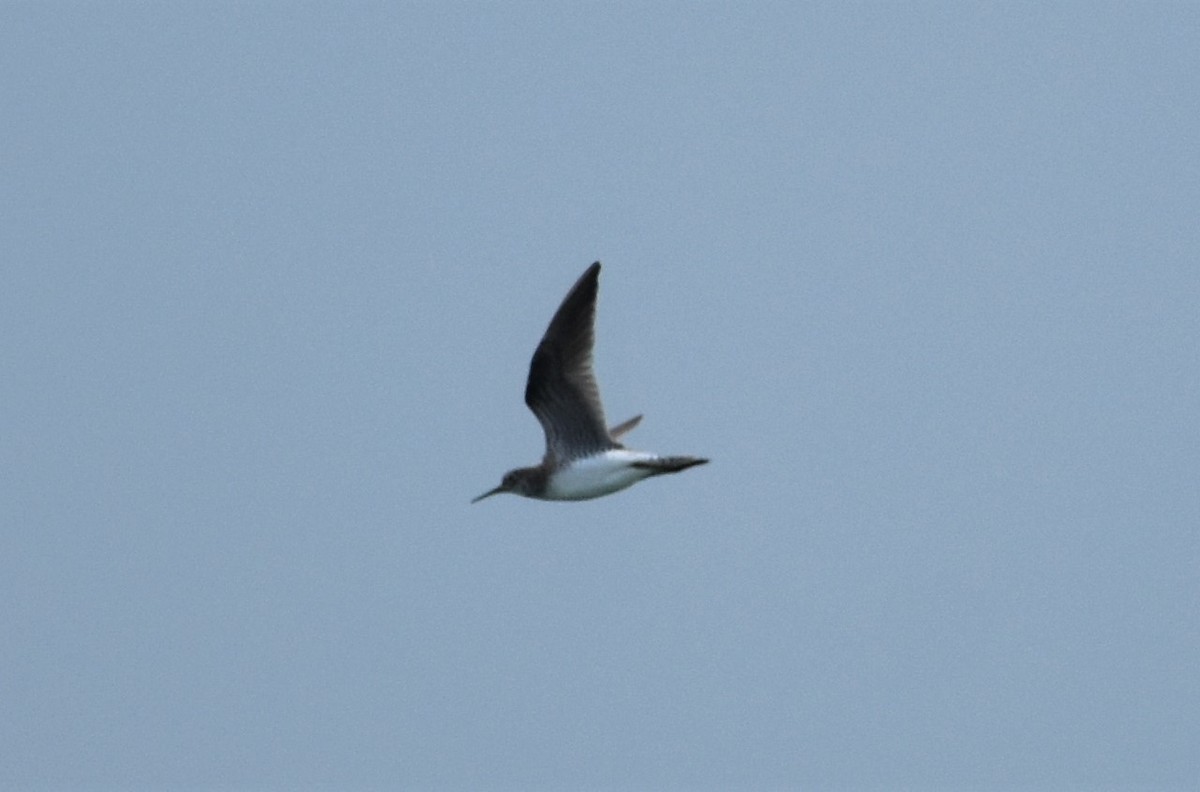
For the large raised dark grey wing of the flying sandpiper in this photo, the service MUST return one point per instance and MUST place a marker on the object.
(562, 388)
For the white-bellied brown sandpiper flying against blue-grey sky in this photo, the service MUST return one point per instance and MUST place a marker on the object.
(584, 459)
